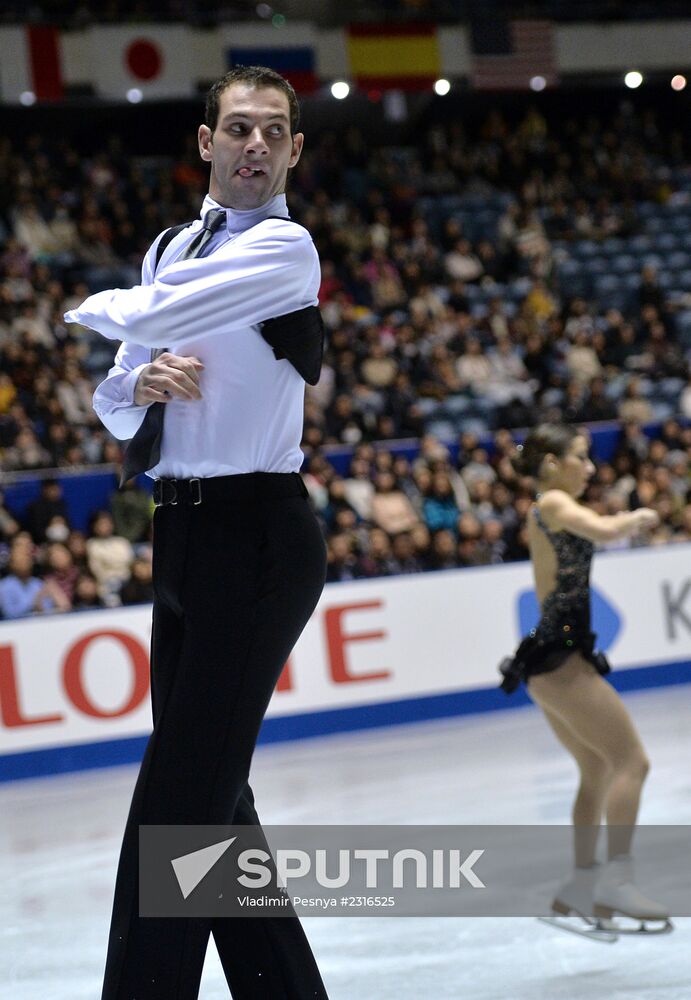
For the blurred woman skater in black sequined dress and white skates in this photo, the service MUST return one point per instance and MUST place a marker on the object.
(563, 672)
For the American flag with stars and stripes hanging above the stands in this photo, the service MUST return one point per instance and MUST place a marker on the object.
(528, 51)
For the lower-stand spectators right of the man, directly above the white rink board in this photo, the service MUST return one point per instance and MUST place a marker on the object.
(447, 509)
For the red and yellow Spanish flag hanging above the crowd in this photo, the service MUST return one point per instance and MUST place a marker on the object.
(394, 56)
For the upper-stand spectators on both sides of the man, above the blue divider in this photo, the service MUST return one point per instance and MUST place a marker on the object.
(399, 290)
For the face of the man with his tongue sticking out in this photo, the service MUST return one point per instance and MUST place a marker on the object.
(251, 148)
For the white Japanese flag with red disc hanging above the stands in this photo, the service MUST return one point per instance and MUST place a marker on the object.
(153, 59)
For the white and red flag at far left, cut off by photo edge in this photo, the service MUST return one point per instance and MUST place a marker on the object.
(30, 63)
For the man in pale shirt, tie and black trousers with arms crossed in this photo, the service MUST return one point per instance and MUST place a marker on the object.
(215, 417)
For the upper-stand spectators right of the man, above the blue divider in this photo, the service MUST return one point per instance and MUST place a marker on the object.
(400, 289)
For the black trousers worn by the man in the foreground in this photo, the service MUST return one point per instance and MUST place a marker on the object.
(236, 579)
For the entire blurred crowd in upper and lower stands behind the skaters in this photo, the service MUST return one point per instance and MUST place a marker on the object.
(423, 308)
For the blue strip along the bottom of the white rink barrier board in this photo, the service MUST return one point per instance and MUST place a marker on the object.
(278, 729)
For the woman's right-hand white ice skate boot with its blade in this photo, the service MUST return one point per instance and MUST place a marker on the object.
(617, 896)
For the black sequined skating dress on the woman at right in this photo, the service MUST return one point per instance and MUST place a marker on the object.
(564, 626)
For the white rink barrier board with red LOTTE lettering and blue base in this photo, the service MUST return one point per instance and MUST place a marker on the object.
(74, 688)
